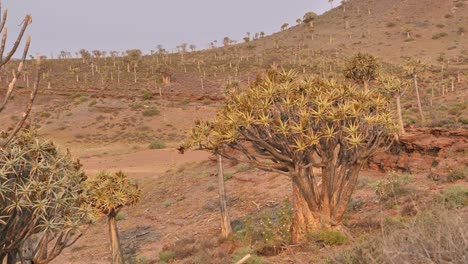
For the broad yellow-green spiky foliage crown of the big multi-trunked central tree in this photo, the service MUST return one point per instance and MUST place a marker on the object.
(298, 115)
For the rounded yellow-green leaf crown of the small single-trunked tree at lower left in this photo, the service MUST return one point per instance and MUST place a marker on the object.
(109, 192)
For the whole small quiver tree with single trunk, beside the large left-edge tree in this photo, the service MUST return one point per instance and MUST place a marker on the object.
(108, 193)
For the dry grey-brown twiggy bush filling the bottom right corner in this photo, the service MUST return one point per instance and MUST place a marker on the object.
(434, 236)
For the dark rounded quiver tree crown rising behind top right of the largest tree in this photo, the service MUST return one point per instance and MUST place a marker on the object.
(362, 68)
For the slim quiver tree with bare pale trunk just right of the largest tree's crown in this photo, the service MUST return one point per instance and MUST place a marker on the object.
(394, 87)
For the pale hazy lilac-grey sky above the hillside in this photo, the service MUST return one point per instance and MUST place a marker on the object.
(122, 24)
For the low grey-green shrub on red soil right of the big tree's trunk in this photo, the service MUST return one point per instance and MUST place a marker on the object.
(392, 186)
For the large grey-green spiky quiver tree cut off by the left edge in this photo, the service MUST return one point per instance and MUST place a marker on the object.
(40, 199)
